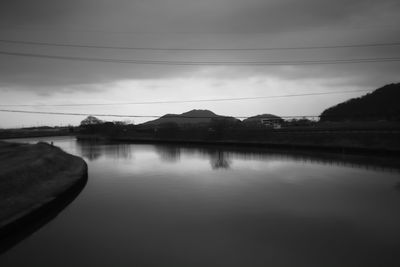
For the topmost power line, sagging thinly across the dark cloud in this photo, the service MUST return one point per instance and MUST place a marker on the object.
(200, 49)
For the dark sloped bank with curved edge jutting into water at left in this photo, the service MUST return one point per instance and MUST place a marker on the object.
(36, 182)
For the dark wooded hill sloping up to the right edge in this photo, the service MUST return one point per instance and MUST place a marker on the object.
(382, 104)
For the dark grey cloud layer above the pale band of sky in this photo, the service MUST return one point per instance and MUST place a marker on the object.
(192, 23)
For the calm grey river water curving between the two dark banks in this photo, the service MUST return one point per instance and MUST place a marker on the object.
(158, 205)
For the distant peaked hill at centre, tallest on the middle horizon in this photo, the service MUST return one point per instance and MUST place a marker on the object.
(195, 116)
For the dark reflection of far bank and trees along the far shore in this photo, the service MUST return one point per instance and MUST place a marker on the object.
(223, 157)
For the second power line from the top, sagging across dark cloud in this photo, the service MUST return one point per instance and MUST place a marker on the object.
(207, 63)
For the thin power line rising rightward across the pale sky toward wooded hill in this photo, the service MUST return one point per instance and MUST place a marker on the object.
(183, 101)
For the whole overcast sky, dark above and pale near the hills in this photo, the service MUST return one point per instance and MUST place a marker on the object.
(190, 24)
